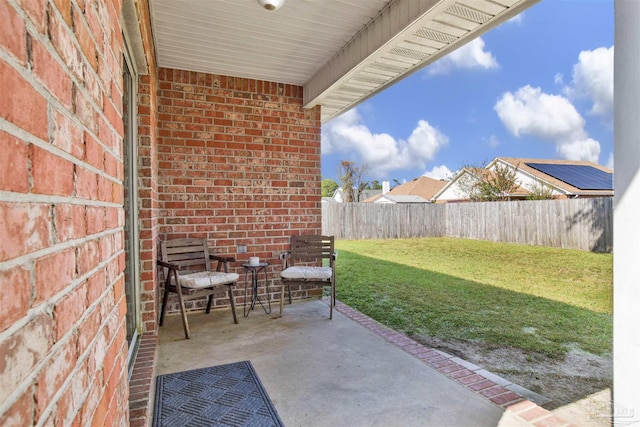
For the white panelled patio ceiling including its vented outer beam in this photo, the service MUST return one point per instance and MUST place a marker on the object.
(341, 51)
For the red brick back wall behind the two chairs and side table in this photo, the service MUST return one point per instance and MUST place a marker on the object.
(239, 164)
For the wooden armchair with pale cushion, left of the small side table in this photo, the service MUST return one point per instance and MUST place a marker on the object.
(187, 271)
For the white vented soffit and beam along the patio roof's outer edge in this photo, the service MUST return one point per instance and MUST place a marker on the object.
(437, 31)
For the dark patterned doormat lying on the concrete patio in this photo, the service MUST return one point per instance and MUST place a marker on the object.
(225, 395)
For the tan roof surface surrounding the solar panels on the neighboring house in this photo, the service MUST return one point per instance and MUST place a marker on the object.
(522, 165)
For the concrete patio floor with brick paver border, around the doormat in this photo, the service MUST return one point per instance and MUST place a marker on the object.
(349, 371)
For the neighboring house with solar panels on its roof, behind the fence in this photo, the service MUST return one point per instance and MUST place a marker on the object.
(563, 178)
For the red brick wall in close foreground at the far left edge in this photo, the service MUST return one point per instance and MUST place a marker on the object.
(62, 307)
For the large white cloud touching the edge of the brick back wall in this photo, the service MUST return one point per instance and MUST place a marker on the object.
(381, 152)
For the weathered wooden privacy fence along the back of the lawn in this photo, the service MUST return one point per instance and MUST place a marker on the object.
(585, 224)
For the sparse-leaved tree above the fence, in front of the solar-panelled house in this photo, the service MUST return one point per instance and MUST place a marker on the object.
(482, 184)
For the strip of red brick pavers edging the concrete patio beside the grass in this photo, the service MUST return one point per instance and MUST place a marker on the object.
(472, 377)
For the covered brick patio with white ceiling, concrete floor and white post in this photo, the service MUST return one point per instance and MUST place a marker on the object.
(128, 122)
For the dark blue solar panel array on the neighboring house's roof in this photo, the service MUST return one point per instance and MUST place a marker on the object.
(580, 176)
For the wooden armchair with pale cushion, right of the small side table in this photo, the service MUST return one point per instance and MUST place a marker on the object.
(303, 266)
